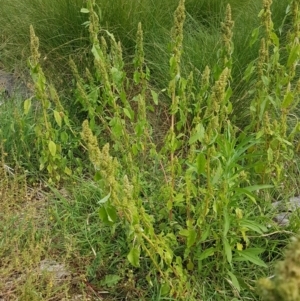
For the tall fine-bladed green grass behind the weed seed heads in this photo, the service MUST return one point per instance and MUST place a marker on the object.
(202, 28)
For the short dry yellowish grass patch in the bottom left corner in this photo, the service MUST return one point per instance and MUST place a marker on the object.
(30, 267)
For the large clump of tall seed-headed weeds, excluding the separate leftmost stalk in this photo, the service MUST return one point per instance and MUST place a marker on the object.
(210, 169)
